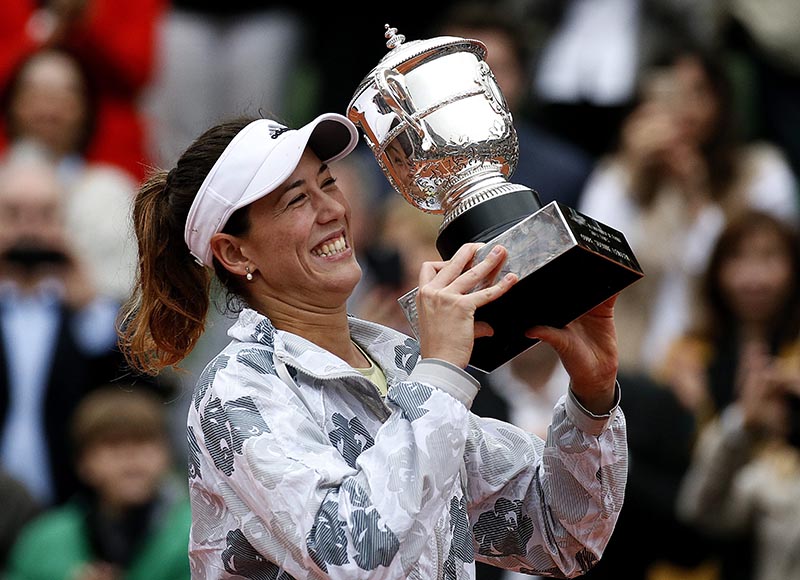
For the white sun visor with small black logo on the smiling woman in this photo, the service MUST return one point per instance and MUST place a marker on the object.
(258, 160)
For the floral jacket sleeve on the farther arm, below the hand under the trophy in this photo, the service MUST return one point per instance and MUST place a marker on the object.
(546, 507)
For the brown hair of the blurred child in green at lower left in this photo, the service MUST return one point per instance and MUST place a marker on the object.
(112, 414)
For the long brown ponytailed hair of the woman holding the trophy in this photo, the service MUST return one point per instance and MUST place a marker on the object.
(165, 316)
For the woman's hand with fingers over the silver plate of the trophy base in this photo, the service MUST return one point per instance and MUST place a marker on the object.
(447, 301)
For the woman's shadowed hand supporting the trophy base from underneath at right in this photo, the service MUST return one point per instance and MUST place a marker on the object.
(587, 348)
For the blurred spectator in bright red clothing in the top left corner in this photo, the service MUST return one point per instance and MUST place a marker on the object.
(116, 41)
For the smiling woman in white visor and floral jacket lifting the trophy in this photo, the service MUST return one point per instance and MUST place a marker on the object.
(323, 446)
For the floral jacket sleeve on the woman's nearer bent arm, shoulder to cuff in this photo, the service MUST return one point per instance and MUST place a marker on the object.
(314, 510)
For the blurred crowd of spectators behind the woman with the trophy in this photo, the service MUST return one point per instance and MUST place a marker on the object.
(676, 122)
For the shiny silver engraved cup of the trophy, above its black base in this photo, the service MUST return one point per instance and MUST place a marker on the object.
(482, 172)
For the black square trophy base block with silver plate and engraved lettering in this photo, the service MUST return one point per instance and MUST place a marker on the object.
(567, 264)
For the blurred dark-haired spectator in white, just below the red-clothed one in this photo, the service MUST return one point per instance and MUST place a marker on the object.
(49, 105)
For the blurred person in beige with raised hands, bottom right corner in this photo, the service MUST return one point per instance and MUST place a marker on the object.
(745, 477)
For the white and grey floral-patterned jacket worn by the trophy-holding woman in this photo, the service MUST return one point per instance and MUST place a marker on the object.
(326, 479)
